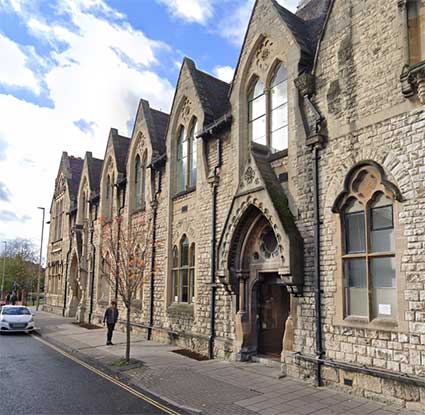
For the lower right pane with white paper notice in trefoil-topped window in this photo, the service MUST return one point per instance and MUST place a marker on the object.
(384, 287)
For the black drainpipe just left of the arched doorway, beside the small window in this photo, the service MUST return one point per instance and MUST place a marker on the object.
(214, 182)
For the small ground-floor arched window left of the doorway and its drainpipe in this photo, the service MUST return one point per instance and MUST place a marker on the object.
(183, 271)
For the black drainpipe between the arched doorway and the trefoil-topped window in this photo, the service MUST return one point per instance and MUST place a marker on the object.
(318, 297)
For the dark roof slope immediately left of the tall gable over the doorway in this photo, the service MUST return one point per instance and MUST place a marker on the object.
(213, 92)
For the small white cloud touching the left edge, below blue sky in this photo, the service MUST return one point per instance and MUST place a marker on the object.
(13, 69)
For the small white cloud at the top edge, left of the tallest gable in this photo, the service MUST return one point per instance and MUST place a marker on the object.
(193, 11)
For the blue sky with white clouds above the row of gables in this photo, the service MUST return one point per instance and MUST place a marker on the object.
(72, 69)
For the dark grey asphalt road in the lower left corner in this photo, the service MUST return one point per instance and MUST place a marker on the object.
(35, 379)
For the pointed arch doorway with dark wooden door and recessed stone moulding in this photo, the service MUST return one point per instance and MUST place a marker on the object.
(263, 302)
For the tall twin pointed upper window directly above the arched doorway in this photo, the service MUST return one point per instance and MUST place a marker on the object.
(268, 111)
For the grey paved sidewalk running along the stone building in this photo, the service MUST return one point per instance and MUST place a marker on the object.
(211, 387)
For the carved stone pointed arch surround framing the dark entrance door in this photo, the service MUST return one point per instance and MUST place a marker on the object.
(253, 256)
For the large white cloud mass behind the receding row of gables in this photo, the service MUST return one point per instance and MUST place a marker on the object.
(98, 69)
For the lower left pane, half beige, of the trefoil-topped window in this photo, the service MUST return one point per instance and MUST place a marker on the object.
(357, 293)
